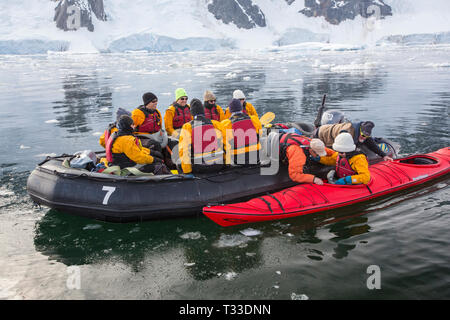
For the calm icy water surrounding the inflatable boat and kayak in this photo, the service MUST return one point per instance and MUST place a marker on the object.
(54, 104)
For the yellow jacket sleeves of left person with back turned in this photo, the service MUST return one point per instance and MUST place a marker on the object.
(185, 142)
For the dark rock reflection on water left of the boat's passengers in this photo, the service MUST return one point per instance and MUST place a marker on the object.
(85, 97)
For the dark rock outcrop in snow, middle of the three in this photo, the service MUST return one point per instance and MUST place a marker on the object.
(243, 13)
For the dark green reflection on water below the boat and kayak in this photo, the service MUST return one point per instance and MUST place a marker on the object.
(209, 250)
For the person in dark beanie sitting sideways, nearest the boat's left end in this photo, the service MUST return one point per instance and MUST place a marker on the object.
(123, 149)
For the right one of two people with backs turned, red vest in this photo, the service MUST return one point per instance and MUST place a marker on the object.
(242, 133)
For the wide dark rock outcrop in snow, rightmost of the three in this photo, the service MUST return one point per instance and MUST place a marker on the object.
(336, 11)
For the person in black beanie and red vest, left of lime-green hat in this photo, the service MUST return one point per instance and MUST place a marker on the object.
(147, 120)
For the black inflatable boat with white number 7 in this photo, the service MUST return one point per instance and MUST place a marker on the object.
(136, 198)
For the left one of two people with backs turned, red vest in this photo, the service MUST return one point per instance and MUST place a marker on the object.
(201, 142)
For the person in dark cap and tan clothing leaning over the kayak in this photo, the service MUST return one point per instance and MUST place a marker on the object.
(360, 131)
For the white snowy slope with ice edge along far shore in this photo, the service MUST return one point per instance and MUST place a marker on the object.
(179, 25)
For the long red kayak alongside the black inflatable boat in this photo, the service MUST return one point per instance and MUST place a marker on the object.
(386, 177)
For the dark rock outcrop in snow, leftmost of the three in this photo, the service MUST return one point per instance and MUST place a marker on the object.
(76, 14)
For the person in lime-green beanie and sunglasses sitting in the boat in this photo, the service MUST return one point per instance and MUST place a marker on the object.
(177, 114)
